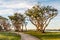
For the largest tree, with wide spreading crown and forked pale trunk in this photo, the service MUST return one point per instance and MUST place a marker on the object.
(40, 16)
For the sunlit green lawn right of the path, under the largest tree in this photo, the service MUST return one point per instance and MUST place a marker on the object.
(45, 36)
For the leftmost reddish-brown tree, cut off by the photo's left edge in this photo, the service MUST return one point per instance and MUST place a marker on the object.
(4, 23)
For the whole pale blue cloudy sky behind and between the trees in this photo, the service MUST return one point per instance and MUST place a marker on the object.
(9, 7)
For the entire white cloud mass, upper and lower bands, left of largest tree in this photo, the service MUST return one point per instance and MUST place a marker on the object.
(11, 8)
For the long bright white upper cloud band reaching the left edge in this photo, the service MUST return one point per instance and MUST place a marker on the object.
(16, 5)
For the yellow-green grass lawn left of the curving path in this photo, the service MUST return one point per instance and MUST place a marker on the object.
(9, 36)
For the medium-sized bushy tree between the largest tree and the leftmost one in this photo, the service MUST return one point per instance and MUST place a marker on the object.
(18, 21)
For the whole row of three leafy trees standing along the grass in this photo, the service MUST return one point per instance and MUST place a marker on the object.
(39, 16)
